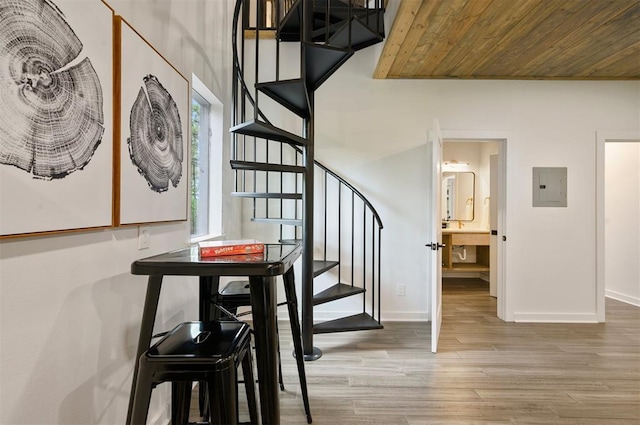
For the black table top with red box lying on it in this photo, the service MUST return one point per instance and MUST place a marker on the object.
(276, 259)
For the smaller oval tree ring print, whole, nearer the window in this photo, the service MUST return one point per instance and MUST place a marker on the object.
(155, 144)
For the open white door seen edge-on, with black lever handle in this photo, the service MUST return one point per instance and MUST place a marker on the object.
(434, 230)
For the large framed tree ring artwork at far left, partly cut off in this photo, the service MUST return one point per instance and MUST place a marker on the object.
(56, 116)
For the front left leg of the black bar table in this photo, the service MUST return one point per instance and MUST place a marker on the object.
(149, 311)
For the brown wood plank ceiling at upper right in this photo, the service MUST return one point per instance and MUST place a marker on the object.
(514, 39)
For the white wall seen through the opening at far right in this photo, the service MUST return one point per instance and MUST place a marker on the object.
(622, 221)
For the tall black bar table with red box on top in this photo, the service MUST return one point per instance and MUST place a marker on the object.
(261, 269)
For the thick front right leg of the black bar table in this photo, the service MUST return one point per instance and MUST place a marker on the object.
(263, 310)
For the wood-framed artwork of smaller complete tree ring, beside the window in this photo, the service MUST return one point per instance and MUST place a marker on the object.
(154, 134)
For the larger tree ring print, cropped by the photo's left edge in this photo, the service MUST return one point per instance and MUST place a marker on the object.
(51, 100)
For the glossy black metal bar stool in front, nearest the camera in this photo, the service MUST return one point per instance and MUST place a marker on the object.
(208, 352)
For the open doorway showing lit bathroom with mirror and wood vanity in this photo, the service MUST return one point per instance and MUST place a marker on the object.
(475, 258)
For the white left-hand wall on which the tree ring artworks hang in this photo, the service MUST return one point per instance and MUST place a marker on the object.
(69, 307)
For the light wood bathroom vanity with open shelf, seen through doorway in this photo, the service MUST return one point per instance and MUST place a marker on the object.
(464, 237)
